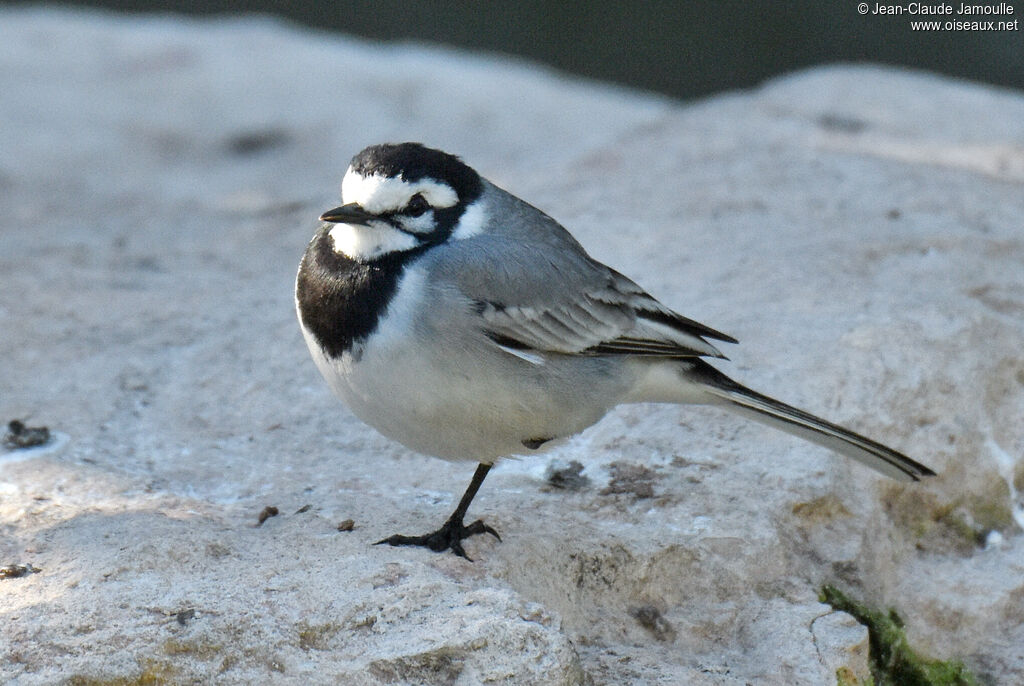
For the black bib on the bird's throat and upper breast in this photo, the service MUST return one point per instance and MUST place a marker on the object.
(342, 301)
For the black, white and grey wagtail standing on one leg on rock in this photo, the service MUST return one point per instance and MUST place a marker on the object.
(467, 325)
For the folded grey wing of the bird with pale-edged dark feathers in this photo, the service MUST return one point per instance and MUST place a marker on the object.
(564, 302)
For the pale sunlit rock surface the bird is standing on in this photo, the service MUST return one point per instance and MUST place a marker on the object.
(859, 229)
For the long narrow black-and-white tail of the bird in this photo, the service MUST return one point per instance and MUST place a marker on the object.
(799, 423)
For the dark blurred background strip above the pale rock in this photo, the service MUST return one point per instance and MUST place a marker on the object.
(685, 50)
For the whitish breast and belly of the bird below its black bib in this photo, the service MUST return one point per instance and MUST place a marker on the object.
(461, 397)
